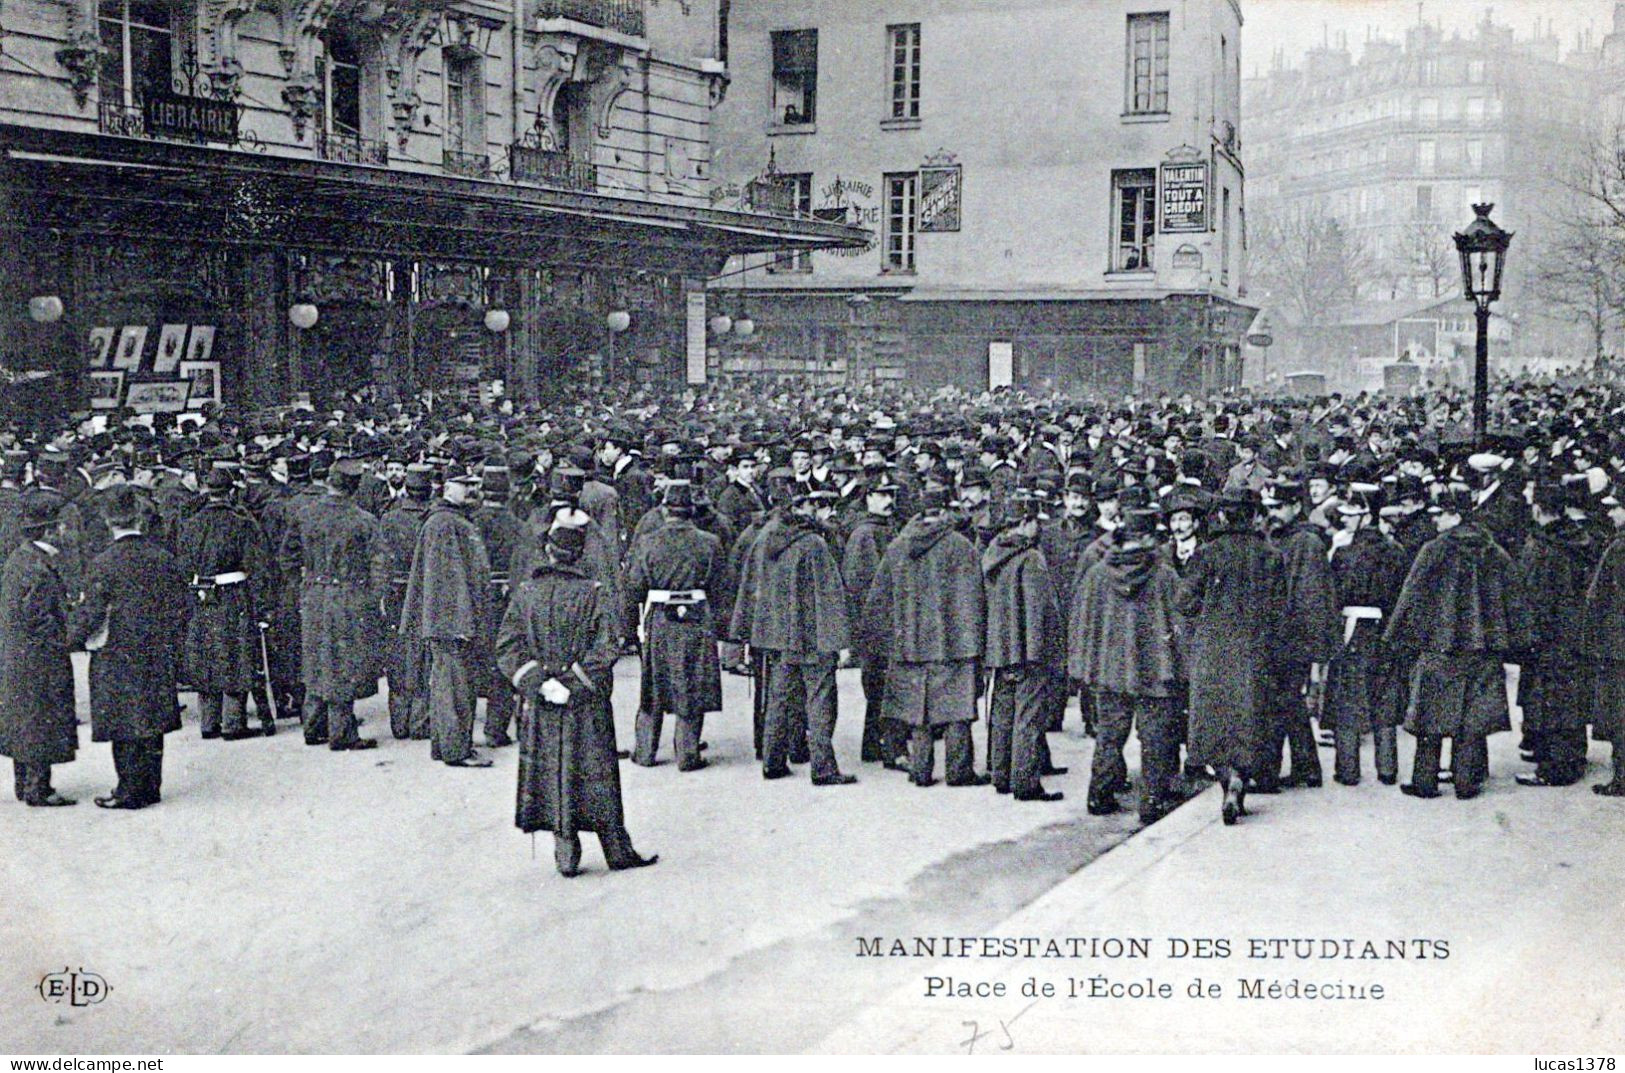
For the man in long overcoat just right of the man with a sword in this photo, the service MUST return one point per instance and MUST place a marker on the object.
(344, 588)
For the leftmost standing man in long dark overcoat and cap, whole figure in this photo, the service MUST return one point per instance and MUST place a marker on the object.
(38, 726)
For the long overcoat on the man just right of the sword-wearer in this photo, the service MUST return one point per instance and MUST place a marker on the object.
(342, 596)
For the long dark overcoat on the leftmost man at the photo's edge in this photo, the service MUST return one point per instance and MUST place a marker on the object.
(37, 679)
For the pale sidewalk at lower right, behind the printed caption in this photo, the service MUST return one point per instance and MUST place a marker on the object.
(1523, 885)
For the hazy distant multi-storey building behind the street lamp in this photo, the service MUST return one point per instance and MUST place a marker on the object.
(1400, 142)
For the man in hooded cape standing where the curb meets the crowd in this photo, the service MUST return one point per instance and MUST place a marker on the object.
(1125, 646)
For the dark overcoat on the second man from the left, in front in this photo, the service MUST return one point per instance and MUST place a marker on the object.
(137, 593)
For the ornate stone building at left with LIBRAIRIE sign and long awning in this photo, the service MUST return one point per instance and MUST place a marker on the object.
(282, 198)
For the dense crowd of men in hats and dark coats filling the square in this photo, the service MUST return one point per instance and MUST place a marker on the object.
(1215, 576)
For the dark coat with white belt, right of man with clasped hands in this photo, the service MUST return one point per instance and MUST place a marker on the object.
(682, 672)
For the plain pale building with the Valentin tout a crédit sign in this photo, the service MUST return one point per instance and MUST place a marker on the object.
(1055, 191)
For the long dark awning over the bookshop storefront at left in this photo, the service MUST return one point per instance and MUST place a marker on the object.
(160, 189)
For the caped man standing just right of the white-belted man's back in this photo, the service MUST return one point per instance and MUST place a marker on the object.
(792, 607)
